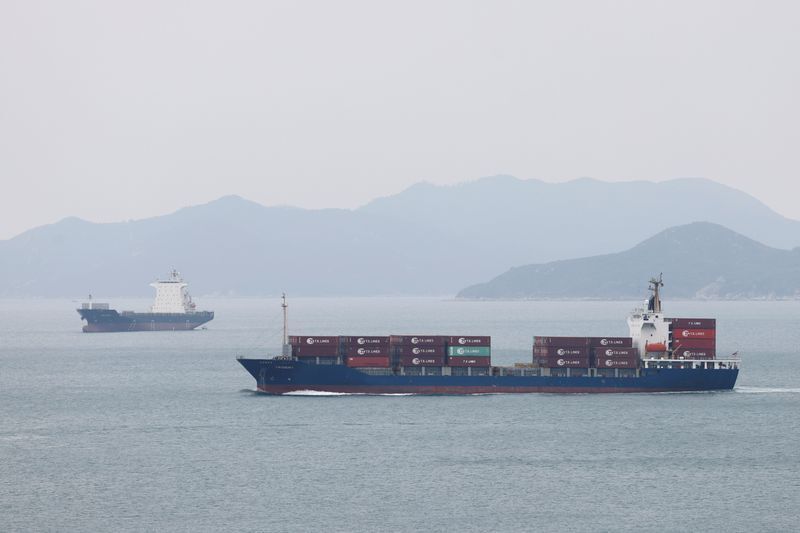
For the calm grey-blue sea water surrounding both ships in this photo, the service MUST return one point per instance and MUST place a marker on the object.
(163, 432)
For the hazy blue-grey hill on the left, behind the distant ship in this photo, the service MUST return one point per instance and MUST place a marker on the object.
(229, 246)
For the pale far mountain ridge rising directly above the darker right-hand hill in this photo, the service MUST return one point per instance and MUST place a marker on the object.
(517, 220)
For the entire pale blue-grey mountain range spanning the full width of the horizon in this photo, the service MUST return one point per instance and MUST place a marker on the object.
(424, 240)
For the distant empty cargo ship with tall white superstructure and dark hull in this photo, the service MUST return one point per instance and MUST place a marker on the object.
(172, 310)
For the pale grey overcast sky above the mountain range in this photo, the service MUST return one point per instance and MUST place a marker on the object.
(119, 110)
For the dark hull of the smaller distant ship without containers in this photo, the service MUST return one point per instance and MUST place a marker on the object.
(109, 320)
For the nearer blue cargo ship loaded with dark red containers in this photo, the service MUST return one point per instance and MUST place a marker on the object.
(660, 355)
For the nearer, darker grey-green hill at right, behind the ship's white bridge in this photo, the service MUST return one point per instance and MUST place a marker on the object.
(699, 260)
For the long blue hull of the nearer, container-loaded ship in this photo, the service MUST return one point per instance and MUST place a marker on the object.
(278, 376)
